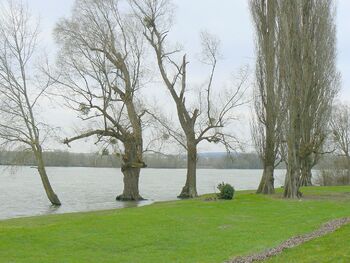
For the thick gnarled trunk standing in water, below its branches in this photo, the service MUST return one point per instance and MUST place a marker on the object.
(131, 167)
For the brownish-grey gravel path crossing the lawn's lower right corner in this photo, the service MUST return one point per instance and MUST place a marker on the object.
(328, 227)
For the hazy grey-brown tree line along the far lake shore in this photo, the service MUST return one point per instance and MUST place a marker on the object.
(69, 159)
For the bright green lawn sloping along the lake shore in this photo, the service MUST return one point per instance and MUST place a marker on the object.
(180, 231)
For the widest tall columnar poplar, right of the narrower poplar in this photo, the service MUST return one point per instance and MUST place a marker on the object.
(307, 34)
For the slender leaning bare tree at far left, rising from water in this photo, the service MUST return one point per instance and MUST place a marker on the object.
(20, 91)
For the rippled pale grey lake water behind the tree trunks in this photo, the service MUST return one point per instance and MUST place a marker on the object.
(86, 189)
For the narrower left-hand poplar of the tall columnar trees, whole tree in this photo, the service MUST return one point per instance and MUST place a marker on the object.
(268, 99)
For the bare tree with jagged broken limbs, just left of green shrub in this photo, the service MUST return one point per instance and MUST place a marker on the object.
(204, 121)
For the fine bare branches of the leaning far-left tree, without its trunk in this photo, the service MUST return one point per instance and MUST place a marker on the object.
(18, 43)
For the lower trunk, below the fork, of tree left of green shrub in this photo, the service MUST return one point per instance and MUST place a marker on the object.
(190, 188)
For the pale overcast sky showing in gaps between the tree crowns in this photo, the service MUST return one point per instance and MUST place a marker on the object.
(228, 19)
